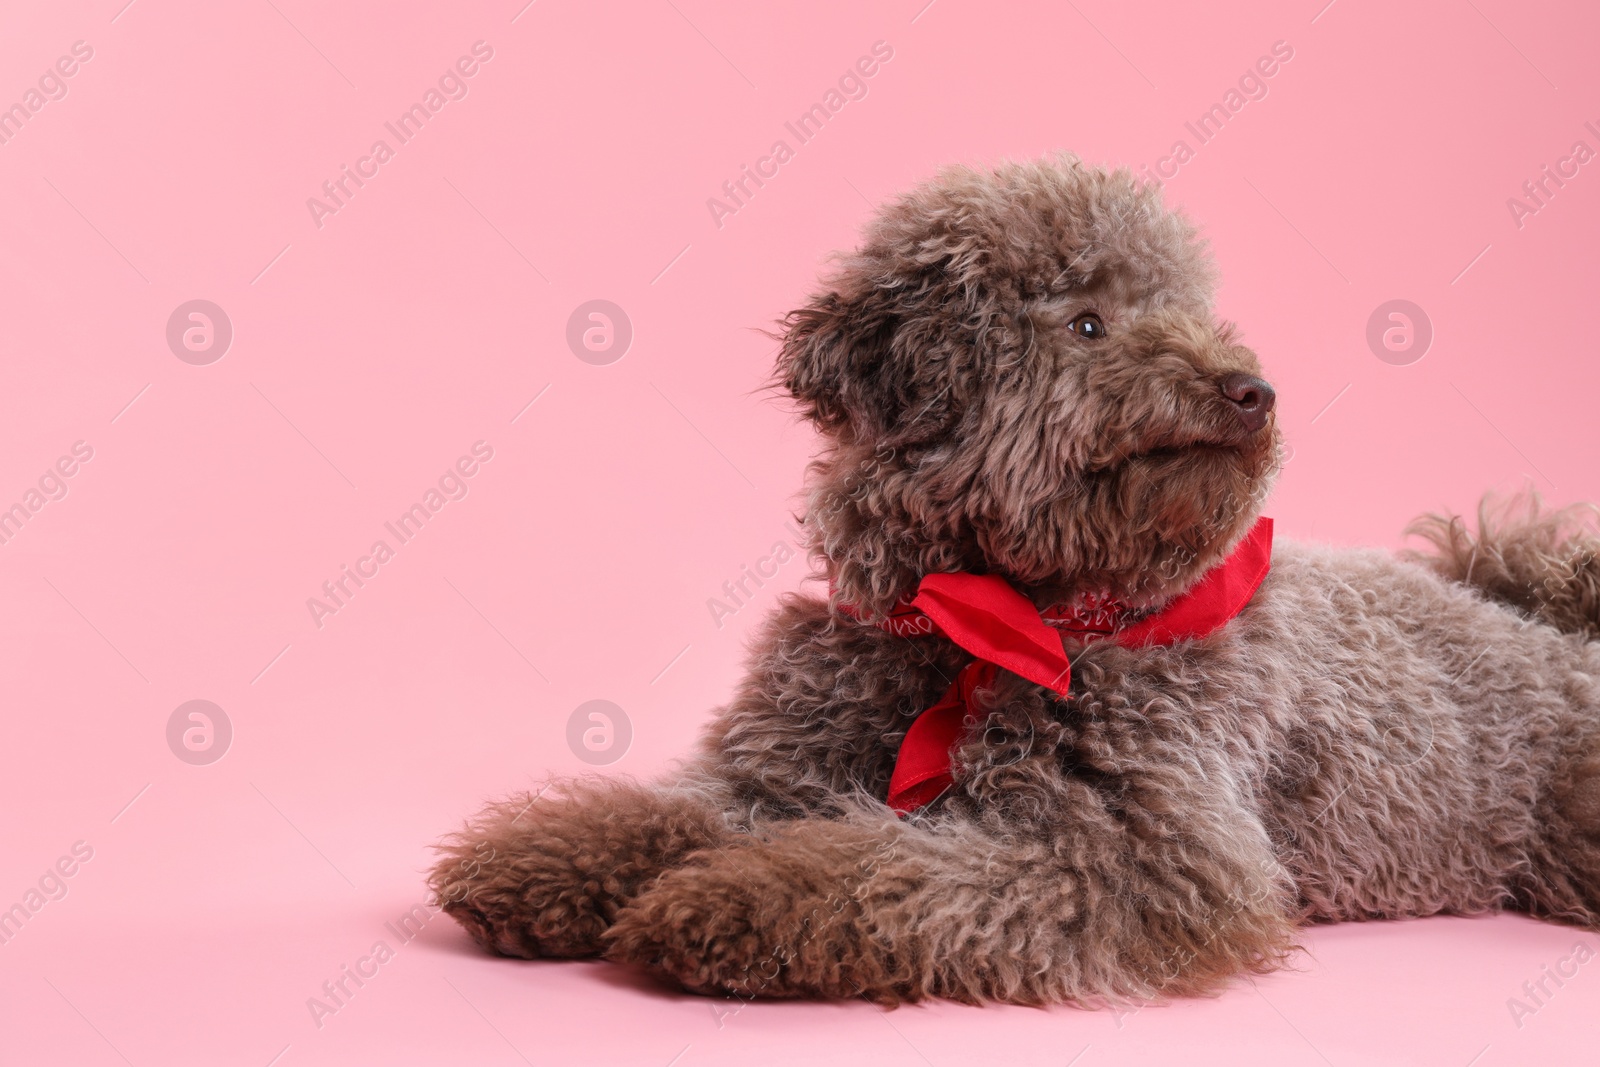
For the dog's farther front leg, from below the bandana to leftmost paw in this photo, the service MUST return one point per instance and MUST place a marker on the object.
(545, 876)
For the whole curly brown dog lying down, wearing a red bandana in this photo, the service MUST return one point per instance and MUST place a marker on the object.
(1025, 393)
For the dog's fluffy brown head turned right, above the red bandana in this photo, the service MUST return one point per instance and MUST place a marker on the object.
(1020, 374)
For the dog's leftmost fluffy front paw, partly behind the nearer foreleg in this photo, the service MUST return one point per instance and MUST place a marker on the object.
(545, 874)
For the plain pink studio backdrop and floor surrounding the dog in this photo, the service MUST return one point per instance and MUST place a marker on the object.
(425, 316)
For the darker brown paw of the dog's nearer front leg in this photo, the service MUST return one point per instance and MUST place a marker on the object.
(735, 922)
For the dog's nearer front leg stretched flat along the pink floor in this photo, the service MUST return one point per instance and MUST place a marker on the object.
(870, 906)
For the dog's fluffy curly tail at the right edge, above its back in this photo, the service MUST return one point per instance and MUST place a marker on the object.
(1546, 564)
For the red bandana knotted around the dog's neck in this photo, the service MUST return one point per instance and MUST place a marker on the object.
(986, 617)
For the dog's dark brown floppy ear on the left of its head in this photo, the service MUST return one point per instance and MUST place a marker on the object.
(855, 367)
